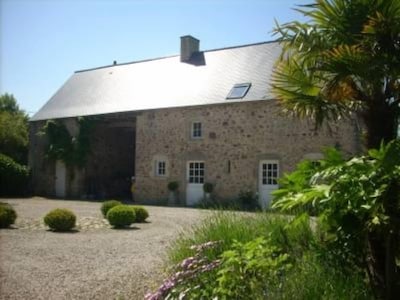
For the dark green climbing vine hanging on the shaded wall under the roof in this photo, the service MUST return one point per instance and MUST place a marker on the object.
(73, 151)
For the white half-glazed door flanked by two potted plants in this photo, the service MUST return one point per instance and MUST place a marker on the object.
(195, 181)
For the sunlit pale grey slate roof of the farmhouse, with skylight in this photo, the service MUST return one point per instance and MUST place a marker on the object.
(165, 82)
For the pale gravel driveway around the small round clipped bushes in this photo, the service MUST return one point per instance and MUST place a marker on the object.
(96, 262)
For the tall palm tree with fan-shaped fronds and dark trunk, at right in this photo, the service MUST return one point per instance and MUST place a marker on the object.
(346, 60)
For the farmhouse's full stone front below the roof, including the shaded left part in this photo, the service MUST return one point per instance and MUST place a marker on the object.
(236, 136)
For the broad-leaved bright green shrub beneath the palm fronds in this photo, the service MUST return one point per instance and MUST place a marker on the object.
(349, 197)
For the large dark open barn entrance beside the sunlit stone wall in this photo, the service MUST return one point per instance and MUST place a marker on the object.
(112, 161)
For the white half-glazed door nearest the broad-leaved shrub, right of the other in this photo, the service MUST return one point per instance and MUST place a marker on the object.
(268, 181)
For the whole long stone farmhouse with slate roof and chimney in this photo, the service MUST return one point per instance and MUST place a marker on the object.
(201, 116)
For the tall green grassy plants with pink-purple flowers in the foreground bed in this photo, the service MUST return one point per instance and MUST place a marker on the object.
(289, 253)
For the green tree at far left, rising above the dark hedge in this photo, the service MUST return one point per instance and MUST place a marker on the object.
(13, 129)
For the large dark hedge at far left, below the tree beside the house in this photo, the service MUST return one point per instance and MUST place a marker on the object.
(14, 178)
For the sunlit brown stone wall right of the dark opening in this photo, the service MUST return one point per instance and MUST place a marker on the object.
(236, 137)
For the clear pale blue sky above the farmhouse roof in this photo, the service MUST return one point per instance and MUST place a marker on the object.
(42, 42)
